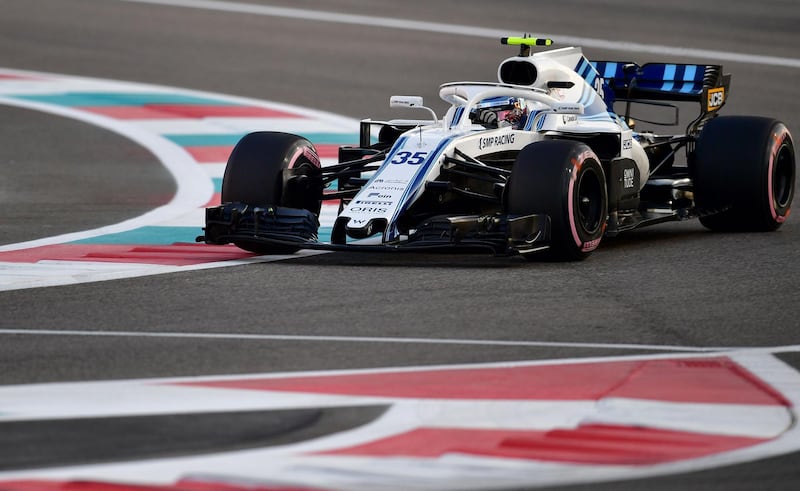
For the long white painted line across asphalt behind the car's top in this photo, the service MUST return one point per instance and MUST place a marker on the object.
(469, 31)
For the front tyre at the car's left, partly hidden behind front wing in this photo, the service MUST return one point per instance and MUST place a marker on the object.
(254, 175)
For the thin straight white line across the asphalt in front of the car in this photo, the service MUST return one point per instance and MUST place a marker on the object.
(375, 339)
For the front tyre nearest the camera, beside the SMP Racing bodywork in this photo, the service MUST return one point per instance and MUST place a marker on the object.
(564, 180)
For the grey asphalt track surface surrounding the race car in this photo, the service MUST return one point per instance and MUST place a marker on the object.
(675, 284)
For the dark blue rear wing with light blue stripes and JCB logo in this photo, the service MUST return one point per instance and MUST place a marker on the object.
(676, 82)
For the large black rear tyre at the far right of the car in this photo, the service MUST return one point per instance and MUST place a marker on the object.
(743, 169)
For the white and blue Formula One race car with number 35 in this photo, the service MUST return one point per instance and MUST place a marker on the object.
(538, 161)
